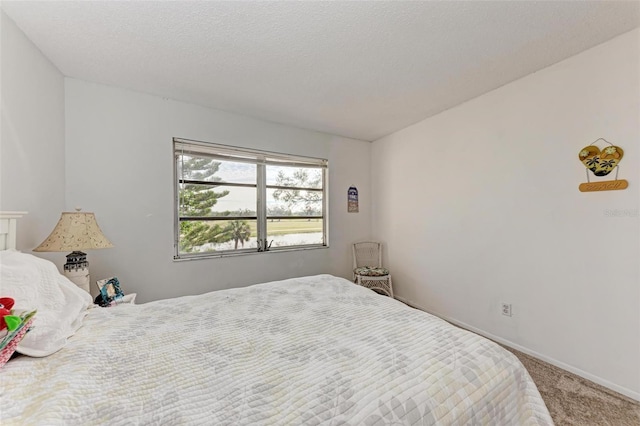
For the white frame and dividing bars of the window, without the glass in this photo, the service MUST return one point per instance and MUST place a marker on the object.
(261, 159)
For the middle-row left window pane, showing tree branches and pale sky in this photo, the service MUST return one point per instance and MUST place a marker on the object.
(203, 200)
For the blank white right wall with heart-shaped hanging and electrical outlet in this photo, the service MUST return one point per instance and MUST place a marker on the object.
(480, 205)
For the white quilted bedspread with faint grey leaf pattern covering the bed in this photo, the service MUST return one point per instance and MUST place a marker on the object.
(314, 350)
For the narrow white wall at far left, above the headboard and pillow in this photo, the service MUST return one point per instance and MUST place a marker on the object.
(32, 137)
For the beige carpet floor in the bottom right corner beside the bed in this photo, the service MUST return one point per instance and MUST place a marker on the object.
(572, 400)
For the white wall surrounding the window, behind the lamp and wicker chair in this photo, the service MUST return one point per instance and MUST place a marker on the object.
(119, 164)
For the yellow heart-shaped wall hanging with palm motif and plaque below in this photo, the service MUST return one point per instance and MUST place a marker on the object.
(601, 163)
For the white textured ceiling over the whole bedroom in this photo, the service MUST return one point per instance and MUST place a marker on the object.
(357, 69)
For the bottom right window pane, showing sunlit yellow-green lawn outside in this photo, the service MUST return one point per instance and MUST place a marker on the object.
(294, 232)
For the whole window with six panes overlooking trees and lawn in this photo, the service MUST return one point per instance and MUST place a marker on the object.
(235, 200)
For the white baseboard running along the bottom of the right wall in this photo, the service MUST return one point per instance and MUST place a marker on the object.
(599, 380)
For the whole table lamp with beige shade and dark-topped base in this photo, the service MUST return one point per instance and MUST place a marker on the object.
(76, 231)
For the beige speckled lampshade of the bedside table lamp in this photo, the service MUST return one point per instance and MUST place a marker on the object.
(75, 231)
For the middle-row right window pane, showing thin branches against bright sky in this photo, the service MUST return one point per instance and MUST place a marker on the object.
(289, 202)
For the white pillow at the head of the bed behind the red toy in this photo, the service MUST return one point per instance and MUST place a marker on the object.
(35, 283)
